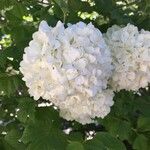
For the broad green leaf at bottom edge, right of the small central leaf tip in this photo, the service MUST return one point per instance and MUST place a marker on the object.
(104, 141)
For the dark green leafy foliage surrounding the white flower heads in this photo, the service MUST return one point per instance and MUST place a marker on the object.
(24, 125)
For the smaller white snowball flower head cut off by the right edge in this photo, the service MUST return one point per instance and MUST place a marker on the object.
(131, 57)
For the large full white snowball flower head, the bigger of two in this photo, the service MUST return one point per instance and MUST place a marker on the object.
(69, 67)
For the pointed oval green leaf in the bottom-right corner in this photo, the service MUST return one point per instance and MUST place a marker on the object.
(141, 143)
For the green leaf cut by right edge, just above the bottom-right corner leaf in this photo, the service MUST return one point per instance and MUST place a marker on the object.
(143, 124)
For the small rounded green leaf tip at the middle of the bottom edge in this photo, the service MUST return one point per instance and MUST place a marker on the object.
(75, 146)
